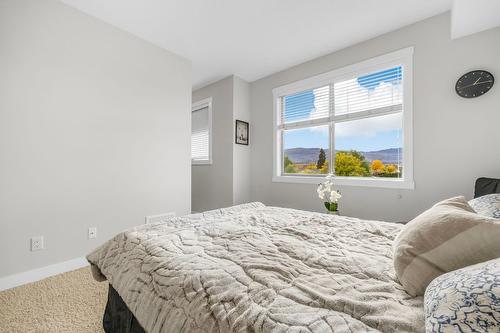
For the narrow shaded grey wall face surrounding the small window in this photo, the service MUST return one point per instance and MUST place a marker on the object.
(212, 185)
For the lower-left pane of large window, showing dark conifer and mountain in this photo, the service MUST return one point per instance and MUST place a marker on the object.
(305, 150)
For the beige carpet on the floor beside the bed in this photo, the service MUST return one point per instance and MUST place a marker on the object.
(69, 302)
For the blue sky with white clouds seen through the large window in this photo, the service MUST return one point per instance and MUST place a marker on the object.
(364, 135)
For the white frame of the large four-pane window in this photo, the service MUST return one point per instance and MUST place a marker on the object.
(404, 58)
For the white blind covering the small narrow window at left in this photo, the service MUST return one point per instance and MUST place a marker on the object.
(200, 135)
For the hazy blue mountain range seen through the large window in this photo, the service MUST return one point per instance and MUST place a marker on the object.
(308, 155)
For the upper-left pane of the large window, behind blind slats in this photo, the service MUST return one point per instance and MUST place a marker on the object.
(310, 104)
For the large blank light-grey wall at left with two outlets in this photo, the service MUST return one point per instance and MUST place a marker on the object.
(94, 131)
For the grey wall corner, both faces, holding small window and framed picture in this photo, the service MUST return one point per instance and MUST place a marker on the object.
(226, 181)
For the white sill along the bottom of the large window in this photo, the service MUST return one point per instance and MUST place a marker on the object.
(349, 181)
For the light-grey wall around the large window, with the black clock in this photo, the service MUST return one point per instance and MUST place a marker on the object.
(455, 139)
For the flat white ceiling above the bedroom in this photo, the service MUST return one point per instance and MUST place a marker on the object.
(255, 38)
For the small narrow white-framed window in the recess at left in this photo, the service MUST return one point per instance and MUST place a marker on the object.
(201, 132)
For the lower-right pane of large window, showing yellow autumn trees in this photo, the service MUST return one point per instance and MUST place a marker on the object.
(370, 147)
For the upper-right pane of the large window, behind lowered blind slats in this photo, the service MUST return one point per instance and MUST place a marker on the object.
(375, 90)
